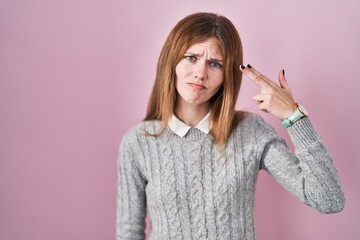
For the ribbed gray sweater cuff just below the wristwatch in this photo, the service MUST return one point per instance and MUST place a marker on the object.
(303, 134)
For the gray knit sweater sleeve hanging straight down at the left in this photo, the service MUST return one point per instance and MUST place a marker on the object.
(131, 200)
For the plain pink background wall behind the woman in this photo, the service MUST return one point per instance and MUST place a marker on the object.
(74, 75)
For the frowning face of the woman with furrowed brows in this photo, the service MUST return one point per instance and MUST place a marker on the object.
(199, 74)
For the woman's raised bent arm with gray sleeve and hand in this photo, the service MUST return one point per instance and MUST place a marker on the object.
(309, 173)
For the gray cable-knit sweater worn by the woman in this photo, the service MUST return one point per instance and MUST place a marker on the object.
(193, 191)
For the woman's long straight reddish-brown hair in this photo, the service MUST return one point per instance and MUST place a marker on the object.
(192, 29)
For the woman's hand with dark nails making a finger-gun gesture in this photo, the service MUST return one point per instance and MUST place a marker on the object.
(273, 98)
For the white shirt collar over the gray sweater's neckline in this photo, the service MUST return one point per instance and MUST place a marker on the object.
(181, 128)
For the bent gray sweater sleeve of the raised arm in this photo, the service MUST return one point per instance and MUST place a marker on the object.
(309, 174)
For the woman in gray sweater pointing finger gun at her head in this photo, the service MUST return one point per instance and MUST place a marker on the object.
(193, 162)
